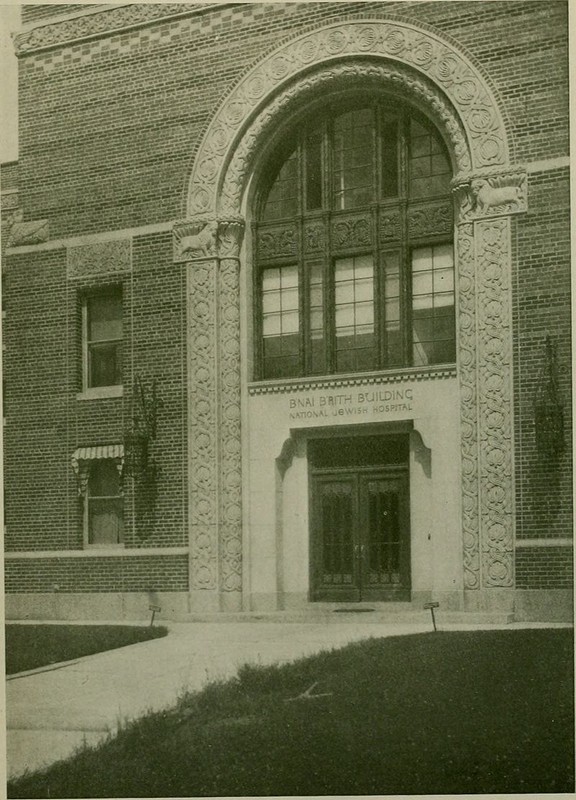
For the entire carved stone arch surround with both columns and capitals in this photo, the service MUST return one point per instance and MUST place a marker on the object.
(434, 73)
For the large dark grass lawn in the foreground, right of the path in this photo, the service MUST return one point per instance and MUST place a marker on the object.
(436, 713)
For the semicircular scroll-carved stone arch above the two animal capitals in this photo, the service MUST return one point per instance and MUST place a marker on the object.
(420, 53)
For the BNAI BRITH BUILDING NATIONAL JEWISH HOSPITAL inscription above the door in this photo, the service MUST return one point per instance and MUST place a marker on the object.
(351, 404)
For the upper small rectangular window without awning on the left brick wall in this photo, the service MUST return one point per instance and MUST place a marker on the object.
(103, 339)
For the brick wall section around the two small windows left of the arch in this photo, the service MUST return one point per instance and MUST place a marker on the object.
(45, 420)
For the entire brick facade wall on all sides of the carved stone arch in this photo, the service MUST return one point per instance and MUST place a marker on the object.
(109, 127)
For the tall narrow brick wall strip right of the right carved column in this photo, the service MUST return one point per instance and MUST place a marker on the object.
(542, 308)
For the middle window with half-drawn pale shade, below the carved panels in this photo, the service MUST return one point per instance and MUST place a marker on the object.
(354, 313)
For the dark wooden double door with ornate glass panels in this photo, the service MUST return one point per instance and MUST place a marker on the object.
(360, 535)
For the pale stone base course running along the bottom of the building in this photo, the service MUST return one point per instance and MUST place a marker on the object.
(454, 607)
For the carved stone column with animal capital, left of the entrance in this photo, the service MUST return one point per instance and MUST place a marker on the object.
(210, 250)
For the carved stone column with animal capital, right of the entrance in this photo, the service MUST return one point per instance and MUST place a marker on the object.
(483, 247)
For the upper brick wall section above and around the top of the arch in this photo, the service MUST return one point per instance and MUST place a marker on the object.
(109, 126)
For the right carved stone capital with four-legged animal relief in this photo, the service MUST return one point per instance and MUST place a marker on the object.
(490, 193)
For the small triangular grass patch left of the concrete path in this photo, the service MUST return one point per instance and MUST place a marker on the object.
(31, 646)
